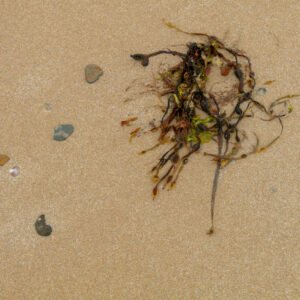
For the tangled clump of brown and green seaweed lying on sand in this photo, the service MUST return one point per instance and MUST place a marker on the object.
(196, 113)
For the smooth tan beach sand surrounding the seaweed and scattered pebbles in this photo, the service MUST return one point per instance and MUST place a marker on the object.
(110, 240)
